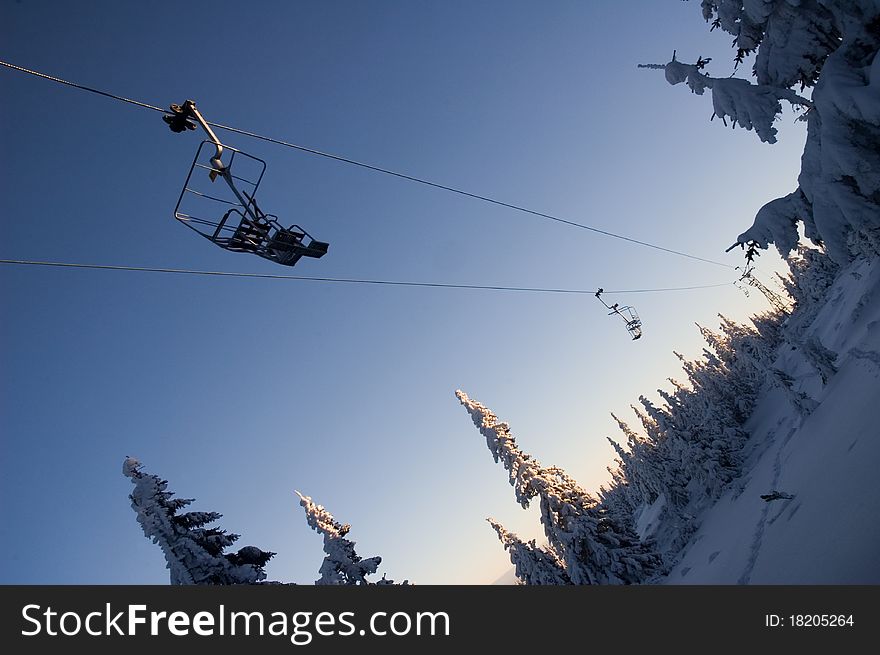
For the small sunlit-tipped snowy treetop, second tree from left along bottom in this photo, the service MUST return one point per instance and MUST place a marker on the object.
(342, 565)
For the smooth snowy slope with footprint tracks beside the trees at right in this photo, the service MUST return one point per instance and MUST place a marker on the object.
(829, 531)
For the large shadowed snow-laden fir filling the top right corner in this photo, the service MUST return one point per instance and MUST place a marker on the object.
(830, 46)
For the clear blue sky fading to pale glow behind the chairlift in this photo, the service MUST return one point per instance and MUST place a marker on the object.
(240, 391)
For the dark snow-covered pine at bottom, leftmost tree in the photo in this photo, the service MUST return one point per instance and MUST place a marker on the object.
(193, 552)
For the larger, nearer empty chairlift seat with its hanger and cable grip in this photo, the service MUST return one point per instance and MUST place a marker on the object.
(243, 227)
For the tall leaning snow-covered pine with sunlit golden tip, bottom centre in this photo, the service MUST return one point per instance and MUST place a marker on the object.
(594, 548)
